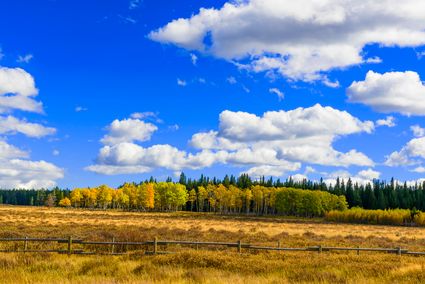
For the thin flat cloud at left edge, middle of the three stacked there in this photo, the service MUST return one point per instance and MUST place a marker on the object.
(11, 125)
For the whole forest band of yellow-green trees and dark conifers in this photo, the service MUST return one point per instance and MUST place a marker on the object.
(230, 195)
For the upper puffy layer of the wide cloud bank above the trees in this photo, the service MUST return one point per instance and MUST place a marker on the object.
(299, 123)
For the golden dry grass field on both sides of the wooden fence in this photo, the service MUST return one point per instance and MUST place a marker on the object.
(189, 266)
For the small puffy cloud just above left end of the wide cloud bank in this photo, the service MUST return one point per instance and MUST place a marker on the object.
(128, 130)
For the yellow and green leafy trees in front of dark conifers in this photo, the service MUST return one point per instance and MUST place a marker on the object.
(169, 196)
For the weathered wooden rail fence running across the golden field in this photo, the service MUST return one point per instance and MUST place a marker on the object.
(75, 246)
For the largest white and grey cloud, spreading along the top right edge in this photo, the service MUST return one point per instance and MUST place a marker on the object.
(298, 39)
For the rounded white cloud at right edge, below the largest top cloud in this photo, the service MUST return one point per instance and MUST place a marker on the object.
(401, 92)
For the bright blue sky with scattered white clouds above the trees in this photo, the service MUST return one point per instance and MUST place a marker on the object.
(104, 92)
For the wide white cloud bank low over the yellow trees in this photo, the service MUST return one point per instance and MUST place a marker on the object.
(273, 144)
